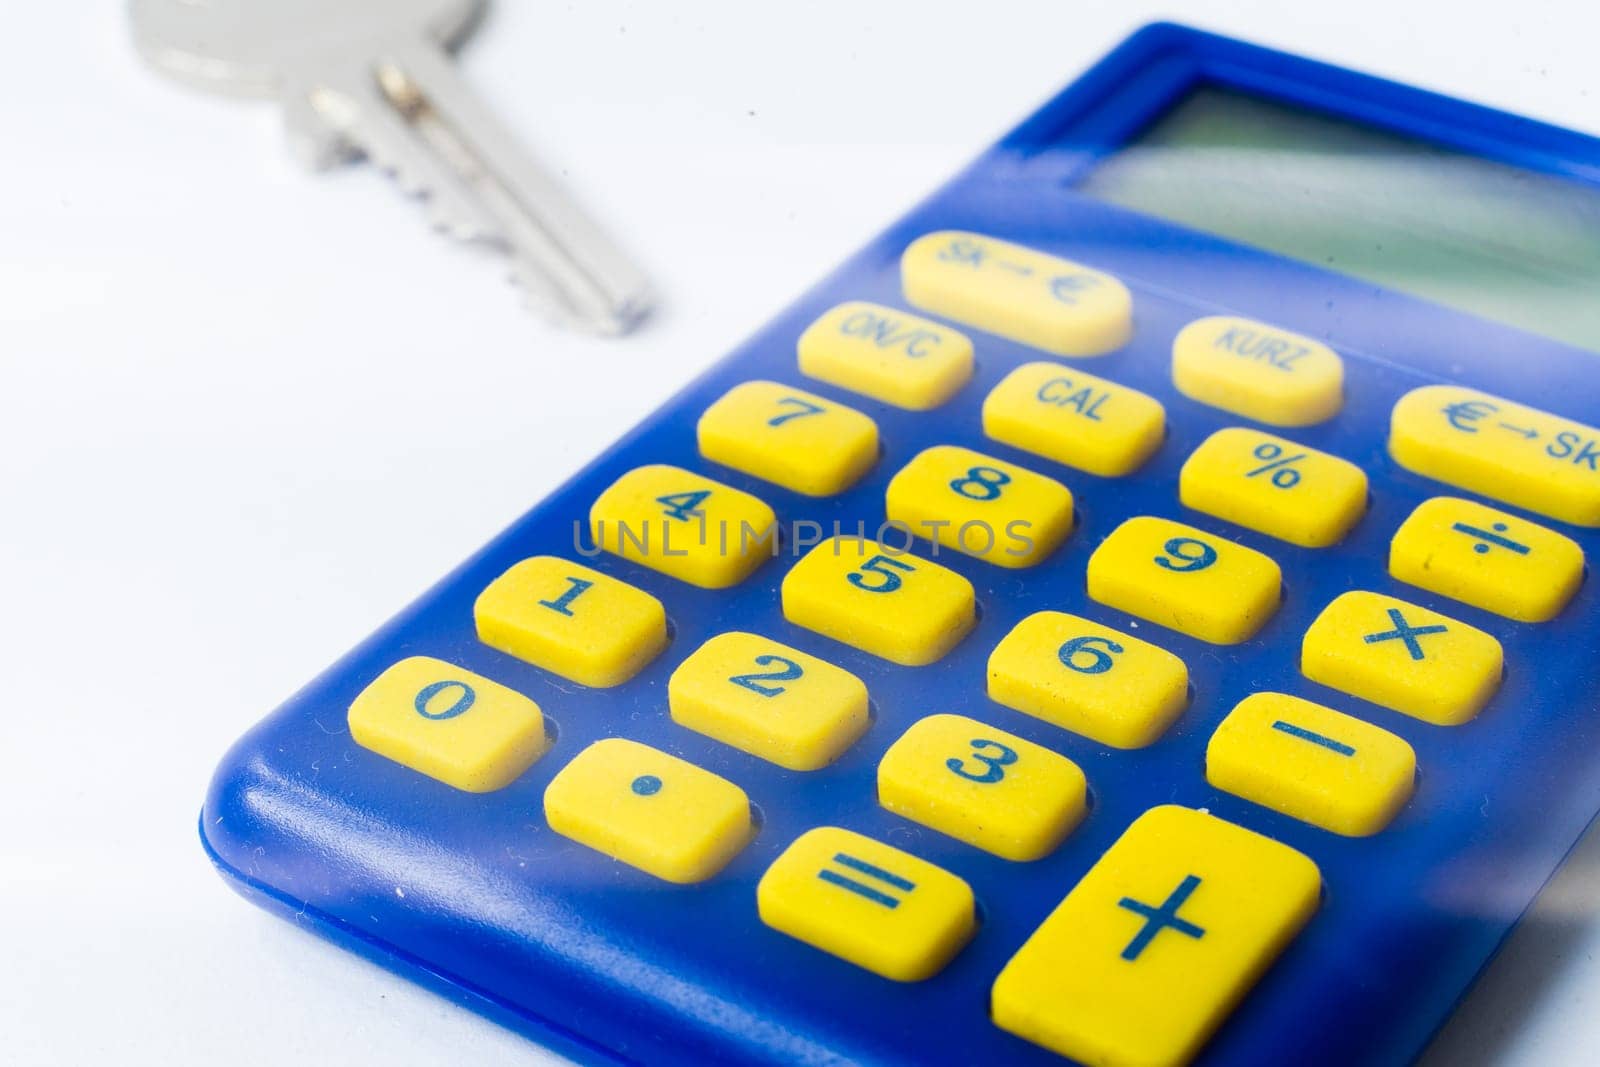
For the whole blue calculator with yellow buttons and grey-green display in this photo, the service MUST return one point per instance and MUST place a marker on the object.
(1134, 612)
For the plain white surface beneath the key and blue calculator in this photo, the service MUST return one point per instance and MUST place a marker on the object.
(249, 414)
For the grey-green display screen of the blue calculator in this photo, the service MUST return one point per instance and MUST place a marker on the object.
(1473, 234)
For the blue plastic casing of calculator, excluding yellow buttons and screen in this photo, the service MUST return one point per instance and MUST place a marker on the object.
(604, 962)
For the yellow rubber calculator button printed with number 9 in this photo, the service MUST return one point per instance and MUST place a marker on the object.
(1186, 580)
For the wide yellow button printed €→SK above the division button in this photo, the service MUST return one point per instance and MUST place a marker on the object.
(1500, 449)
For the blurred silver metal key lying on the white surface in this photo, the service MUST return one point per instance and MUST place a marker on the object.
(377, 79)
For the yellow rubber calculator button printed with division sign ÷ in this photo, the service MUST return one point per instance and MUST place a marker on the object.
(1487, 559)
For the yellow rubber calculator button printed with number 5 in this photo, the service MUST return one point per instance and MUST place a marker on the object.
(889, 604)
